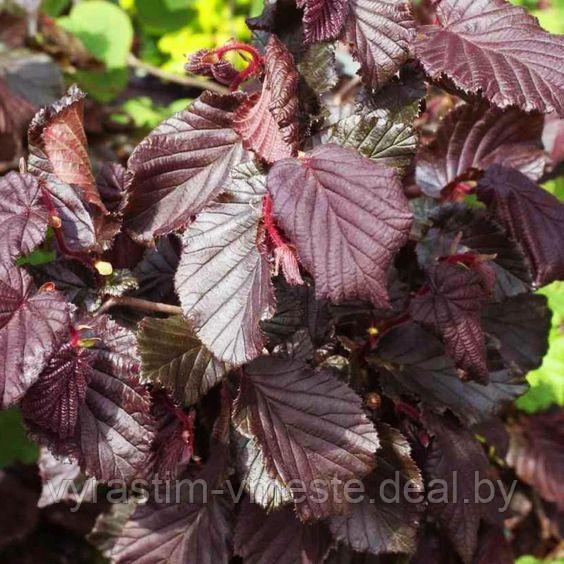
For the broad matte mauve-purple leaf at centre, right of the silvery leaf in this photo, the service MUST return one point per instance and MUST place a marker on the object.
(348, 217)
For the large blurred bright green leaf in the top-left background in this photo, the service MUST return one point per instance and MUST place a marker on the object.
(104, 29)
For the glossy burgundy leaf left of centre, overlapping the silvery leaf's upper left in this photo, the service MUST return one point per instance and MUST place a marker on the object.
(182, 166)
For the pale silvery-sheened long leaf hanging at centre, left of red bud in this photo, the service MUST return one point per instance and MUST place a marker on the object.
(223, 281)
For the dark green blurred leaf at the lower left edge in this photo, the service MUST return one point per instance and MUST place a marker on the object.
(14, 444)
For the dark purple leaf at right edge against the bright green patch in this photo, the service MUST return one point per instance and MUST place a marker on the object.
(519, 327)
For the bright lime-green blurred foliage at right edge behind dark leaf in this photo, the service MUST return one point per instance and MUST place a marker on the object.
(547, 381)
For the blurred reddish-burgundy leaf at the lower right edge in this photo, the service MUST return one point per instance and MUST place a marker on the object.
(536, 451)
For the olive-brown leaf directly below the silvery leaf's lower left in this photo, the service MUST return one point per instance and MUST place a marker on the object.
(173, 356)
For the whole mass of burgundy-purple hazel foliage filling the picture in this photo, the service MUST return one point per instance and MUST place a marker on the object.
(337, 294)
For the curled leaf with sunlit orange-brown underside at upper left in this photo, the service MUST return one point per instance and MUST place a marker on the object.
(58, 145)
